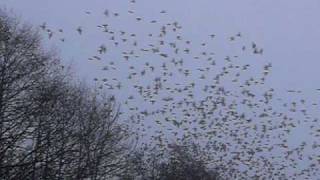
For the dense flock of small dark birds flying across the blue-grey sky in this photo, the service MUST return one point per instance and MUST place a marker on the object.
(173, 89)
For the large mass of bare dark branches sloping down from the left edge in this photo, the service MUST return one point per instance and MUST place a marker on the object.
(50, 126)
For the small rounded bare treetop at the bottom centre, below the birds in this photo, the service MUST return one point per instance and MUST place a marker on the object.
(178, 162)
